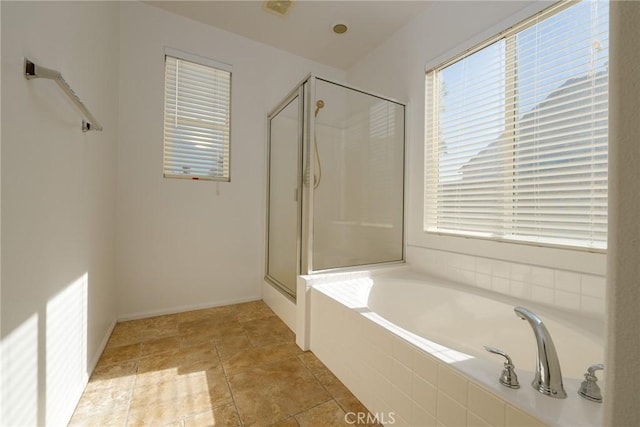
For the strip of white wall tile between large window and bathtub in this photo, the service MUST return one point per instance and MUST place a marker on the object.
(568, 290)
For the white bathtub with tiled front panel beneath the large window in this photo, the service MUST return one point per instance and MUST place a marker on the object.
(411, 348)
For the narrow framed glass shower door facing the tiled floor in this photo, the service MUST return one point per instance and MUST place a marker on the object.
(283, 241)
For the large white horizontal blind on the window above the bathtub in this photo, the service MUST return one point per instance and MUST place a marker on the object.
(516, 133)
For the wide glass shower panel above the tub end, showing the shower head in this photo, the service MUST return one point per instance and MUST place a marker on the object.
(358, 200)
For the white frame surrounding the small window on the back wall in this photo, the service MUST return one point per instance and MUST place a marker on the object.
(207, 62)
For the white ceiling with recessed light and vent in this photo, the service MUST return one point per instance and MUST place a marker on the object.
(306, 30)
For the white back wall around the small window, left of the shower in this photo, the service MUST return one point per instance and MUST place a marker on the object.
(184, 244)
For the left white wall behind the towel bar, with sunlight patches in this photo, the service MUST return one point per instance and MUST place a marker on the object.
(58, 206)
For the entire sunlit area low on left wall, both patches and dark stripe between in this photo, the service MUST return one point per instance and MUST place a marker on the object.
(44, 360)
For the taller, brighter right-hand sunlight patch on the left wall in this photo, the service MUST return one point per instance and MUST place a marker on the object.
(66, 350)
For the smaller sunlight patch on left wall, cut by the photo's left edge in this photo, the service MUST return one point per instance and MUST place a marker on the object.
(19, 403)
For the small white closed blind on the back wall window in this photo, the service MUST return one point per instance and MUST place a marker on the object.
(197, 111)
